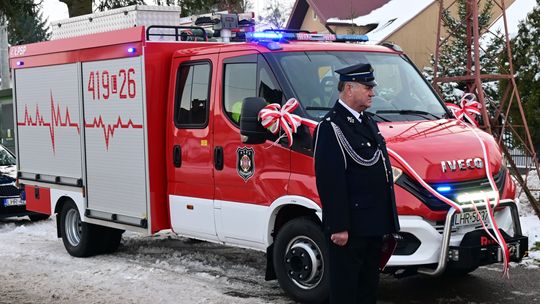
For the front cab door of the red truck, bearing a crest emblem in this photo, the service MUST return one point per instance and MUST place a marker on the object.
(248, 178)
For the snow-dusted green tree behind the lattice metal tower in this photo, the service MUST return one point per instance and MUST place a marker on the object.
(453, 54)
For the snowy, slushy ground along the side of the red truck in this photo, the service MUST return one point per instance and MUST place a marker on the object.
(158, 269)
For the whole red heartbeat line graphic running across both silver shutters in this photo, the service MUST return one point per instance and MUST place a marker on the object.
(57, 121)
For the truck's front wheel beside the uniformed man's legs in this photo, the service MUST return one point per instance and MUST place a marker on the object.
(301, 261)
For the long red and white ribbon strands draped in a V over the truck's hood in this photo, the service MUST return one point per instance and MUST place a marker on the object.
(497, 237)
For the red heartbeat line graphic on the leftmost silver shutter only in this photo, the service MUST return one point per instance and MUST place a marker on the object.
(56, 120)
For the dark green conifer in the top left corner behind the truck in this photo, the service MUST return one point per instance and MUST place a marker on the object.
(25, 21)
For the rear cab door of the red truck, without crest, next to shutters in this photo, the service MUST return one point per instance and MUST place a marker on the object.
(189, 144)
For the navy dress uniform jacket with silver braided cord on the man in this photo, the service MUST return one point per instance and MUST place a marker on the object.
(356, 198)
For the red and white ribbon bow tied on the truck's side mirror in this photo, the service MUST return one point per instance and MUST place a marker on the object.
(275, 117)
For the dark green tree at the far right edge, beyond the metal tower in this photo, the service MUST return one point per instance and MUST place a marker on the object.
(525, 57)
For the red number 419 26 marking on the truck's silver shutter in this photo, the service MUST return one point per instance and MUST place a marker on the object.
(103, 84)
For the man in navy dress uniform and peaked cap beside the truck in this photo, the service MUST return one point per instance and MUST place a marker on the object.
(355, 185)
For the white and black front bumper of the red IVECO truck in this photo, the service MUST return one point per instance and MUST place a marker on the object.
(441, 246)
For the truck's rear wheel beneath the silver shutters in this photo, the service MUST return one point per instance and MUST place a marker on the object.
(80, 239)
